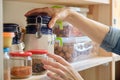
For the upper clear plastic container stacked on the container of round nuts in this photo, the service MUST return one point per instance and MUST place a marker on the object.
(68, 30)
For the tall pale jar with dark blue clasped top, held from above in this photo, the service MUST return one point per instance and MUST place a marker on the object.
(37, 32)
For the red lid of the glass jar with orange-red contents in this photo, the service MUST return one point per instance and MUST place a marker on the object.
(20, 54)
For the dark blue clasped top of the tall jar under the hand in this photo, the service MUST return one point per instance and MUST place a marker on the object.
(38, 24)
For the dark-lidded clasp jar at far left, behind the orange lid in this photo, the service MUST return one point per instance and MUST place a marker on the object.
(17, 44)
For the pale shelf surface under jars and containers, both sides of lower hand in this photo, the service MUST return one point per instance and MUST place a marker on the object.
(79, 66)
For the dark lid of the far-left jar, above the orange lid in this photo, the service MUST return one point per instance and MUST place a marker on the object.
(10, 27)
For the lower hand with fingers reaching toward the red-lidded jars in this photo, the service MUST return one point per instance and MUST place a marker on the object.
(60, 69)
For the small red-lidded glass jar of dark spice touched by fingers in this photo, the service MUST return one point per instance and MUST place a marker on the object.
(37, 65)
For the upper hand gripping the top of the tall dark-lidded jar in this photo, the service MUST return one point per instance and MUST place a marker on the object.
(55, 13)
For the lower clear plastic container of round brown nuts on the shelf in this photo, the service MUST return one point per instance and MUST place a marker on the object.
(75, 48)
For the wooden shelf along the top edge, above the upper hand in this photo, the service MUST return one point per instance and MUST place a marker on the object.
(67, 2)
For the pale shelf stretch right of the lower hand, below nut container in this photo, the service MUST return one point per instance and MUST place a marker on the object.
(89, 63)
